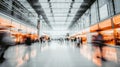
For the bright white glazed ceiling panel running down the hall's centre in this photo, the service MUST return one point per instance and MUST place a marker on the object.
(60, 13)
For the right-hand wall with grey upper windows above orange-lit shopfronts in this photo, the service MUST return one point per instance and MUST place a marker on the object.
(101, 17)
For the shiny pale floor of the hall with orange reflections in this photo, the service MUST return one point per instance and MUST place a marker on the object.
(60, 54)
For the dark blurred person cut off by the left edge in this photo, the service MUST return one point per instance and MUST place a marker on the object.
(5, 42)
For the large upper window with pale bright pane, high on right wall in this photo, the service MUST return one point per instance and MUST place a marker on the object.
(105, 8)
